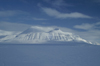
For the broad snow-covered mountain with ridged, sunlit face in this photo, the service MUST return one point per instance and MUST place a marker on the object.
(35, 35)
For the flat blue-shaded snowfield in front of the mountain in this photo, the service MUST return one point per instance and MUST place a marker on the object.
(49, 55)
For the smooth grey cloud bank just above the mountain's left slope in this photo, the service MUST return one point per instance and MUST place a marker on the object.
(9, 26)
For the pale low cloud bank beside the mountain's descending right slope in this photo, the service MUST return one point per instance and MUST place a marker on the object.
(90, 35)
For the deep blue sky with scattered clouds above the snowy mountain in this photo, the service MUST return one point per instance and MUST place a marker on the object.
(78, 16)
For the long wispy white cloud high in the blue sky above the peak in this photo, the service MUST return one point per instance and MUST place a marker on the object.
(57, 14)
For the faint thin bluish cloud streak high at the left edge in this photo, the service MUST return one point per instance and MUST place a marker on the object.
(9, 13)
